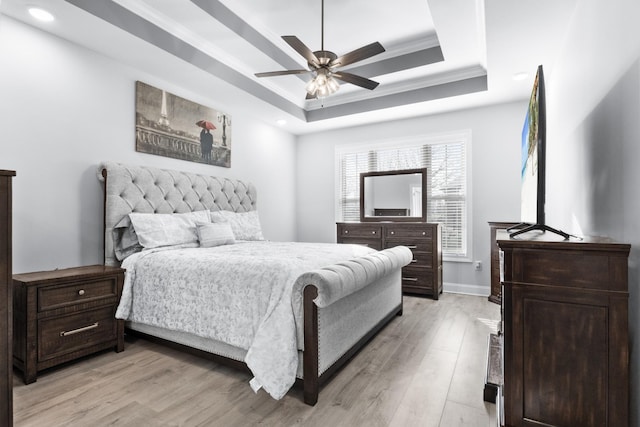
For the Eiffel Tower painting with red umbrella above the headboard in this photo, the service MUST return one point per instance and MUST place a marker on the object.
(170, 126)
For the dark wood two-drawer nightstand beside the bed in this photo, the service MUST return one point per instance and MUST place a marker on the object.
(62, 315)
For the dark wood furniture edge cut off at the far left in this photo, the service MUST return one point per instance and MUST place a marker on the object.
(6, 301)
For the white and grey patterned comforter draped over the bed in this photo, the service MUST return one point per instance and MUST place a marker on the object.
(238, 294)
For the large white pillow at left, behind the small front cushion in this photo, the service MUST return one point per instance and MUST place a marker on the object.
(155, 230)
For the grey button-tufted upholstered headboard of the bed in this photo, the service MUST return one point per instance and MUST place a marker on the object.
(145, 189)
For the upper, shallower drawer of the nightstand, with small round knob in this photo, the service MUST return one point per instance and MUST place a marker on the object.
(60, 296)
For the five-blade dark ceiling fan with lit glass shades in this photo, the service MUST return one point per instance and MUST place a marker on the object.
(324, 64)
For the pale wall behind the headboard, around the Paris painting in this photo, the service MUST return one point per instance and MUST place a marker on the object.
(64, 109)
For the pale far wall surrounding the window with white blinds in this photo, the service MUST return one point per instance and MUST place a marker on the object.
(495, 156)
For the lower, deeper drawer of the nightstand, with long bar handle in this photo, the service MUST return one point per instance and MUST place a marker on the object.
(66, 334)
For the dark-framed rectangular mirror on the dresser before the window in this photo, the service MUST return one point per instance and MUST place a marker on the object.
(394, 195)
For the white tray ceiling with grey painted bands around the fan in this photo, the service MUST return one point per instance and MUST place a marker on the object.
(441, 55)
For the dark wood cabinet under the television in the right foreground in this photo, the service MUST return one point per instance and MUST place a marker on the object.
(565, 332)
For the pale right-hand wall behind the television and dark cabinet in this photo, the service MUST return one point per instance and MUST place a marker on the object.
(593, 99)
